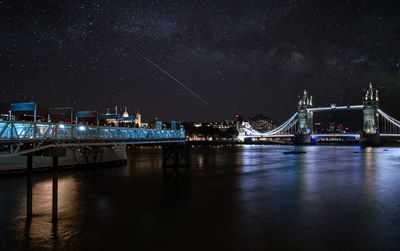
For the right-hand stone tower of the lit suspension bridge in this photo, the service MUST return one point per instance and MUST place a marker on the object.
(370, 134)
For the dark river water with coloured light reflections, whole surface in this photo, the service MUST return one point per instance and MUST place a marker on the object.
(245, 197)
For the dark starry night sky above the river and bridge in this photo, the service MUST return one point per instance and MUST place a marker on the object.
(246, 57)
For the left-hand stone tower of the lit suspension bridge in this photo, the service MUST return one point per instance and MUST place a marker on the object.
(304, 126)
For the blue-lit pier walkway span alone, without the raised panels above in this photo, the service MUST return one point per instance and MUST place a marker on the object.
(38, 135)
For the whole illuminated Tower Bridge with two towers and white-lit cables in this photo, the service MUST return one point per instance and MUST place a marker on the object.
(298, 128)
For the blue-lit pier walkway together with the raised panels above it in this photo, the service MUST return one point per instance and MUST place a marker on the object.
(19, 137)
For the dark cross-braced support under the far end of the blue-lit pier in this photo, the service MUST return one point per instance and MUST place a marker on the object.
(176, 158)
